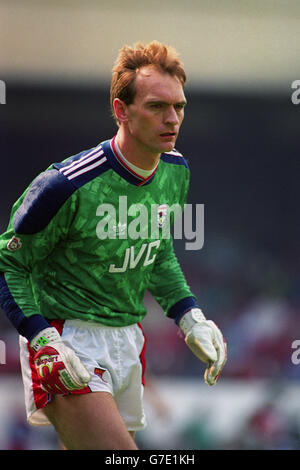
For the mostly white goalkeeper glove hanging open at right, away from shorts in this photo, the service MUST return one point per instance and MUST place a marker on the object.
(206, 341)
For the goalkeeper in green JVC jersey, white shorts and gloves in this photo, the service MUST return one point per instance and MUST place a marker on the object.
(73, 277)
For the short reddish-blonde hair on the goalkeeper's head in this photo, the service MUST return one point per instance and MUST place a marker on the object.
(131, 59)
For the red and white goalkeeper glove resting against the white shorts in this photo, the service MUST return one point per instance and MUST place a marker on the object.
(59, 369)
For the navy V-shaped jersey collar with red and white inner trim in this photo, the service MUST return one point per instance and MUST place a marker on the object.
(118, 164)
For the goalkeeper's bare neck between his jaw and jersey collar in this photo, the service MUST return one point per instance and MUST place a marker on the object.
(139, 157)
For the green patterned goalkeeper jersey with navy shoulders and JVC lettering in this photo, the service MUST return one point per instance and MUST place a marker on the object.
(89, 236)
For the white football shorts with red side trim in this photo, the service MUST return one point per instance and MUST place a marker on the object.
(115, 357)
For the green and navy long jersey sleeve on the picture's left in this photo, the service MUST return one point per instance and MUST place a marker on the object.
(39, 220)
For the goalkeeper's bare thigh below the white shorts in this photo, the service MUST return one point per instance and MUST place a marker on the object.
(89, 422)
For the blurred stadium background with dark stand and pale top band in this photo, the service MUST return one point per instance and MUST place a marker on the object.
(241, 137)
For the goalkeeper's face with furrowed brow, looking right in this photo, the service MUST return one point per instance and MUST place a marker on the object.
(156, 114)
